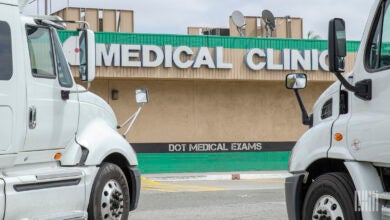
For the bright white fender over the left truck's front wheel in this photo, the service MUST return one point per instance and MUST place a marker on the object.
(101, 140)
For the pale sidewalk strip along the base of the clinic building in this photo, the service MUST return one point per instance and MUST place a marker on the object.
(239, 175)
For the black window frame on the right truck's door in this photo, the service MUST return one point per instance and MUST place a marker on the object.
(379, 20)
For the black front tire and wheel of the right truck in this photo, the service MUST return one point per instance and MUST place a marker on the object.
(331, 196)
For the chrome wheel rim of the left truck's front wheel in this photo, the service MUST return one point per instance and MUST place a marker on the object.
(112, 201)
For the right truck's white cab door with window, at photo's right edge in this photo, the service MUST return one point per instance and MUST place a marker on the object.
(369, 125)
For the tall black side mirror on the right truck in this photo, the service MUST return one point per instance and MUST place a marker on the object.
(337, 45)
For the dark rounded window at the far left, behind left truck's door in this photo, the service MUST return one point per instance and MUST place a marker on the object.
(5, 51)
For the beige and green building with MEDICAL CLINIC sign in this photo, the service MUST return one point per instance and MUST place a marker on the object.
(216, 103)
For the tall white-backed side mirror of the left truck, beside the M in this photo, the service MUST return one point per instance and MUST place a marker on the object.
(87, 55)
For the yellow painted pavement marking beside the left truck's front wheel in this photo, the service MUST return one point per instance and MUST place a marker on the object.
(148, 184)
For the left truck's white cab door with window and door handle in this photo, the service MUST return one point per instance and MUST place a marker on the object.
(53, 119)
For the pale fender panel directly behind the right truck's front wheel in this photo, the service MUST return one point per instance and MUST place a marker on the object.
(366, 180)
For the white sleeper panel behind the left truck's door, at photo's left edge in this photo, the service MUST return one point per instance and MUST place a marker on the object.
(12, 84)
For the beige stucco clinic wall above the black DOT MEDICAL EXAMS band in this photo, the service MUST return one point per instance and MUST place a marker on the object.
(211, 105)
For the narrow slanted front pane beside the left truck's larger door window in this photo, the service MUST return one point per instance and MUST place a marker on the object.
(64, 75)
